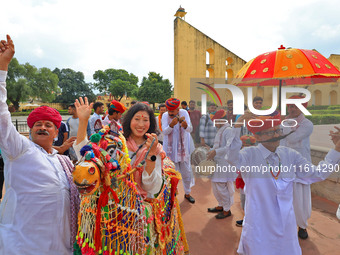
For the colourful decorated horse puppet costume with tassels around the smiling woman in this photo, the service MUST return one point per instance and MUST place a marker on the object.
(114, 217)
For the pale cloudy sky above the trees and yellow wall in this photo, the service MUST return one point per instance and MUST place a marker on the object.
(138, 35)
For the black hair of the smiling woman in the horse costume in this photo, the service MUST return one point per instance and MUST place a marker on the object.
(131, 112)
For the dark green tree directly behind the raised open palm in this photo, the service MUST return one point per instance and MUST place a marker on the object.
(72, 86)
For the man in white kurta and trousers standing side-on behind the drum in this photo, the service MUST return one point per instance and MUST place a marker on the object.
(222, 179)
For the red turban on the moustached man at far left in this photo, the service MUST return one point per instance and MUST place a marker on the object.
(44, 113)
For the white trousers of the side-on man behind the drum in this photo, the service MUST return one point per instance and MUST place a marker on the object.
(224, 194)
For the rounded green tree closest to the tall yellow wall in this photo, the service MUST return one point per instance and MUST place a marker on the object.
(154, 89)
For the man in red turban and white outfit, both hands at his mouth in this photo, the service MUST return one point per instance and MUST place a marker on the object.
(176, 128)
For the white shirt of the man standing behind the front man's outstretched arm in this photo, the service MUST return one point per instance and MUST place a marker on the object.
(299, 140)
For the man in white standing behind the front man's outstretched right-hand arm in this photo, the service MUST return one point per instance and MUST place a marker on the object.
(299, 141)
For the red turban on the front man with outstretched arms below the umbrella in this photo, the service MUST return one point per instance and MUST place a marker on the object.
(262, 123)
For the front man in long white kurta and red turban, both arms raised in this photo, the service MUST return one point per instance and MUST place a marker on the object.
(269, 172)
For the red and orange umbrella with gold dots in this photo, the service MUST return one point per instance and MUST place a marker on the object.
(287, 67)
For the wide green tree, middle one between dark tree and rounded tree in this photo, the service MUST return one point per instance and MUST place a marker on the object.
(118, 82)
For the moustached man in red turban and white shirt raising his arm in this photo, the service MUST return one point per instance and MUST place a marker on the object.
(38, 214)
